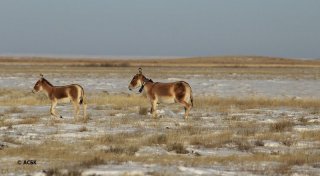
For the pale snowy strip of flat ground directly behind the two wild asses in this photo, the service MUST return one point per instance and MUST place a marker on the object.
(200, 85)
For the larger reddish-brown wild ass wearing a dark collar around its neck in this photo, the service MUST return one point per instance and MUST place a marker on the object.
(174, 92)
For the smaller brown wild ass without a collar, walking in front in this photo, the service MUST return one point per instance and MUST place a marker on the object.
(73, 93)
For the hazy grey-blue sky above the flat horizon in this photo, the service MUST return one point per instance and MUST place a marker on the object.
(288, 28)
